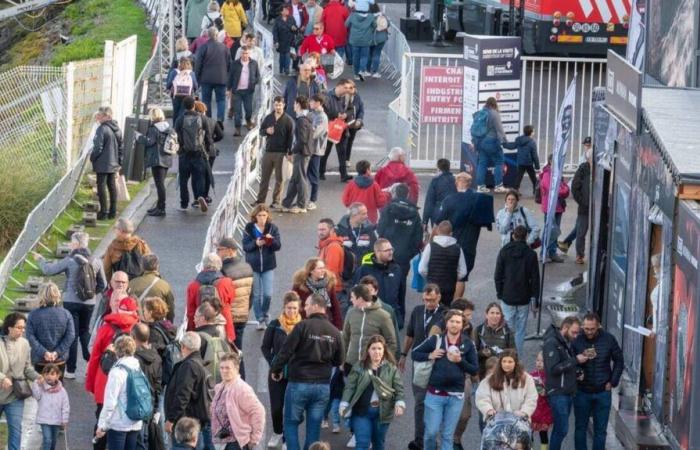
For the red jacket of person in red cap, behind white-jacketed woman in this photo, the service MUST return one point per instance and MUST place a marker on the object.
(96, 379)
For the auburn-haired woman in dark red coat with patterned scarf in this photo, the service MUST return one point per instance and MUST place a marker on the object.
(313, 278)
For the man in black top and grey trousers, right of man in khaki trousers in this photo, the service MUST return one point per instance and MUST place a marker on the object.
(299, 157)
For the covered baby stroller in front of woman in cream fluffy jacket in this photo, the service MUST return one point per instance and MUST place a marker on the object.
(506, 431)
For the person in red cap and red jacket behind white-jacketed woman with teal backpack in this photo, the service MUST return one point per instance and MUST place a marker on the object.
(115, 324)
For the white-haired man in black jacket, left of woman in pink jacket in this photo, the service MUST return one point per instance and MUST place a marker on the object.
(188, 393)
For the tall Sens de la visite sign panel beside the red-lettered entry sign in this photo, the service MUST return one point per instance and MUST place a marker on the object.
(492, 69)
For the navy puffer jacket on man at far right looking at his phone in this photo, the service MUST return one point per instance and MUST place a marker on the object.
(598, 371)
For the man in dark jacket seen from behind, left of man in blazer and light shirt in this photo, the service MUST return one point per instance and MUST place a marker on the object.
(211, 65)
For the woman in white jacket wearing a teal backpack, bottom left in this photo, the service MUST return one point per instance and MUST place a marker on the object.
(121, 431)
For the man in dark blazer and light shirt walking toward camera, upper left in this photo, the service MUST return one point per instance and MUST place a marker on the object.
(243, 78)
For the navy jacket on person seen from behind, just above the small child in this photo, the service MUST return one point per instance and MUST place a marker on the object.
(50, 329)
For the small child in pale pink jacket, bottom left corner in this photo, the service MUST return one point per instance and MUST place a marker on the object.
(53, 408)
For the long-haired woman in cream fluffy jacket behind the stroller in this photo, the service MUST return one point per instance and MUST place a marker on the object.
(510, 388)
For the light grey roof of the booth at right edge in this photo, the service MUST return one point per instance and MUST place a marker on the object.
(673, 117)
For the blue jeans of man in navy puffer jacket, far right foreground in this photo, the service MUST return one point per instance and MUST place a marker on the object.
(587, 405)
